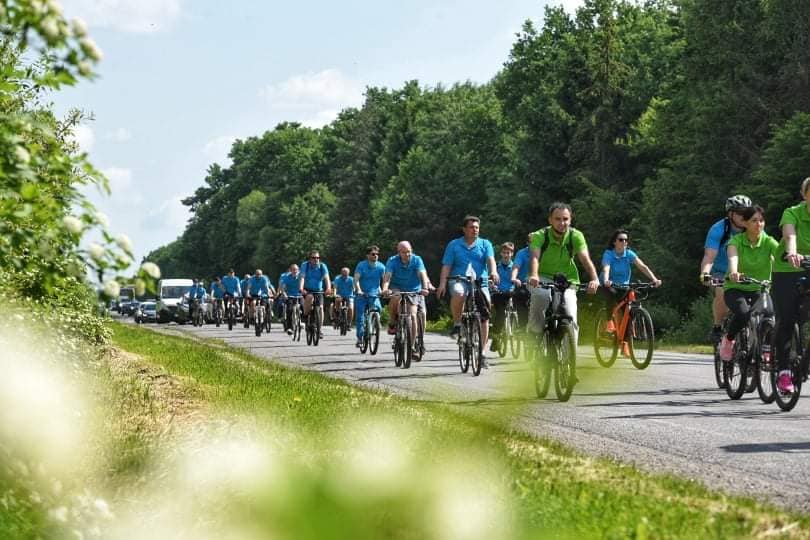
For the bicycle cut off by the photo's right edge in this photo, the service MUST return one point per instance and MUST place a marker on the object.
(799, 358)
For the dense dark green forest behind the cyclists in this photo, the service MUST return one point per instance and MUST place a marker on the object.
(640, 115)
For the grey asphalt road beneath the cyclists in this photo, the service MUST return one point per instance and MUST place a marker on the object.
(669, 418)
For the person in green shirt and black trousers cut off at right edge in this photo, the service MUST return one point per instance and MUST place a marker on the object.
(795, 225)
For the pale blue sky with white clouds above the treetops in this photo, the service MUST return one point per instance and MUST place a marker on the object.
(182, 79)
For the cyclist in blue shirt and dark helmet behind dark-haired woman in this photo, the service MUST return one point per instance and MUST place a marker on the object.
(715, 259)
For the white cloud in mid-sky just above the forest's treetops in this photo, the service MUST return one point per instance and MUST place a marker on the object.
(323, 90)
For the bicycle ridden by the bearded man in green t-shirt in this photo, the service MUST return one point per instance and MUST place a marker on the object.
(555, 350)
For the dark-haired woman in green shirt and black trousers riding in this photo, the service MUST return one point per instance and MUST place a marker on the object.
(750, 254)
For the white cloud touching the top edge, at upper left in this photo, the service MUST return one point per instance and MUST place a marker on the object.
(136, 16)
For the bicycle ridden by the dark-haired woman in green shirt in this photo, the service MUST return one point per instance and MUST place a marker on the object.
(751, 357)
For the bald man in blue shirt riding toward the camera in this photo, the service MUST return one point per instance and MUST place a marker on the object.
(404, 272)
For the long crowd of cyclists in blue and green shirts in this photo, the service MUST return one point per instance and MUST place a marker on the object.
(738, 257)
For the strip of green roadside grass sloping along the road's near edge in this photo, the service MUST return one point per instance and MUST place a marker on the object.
(552, 491)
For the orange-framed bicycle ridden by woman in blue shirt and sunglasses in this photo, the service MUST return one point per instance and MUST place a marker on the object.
(633, 328)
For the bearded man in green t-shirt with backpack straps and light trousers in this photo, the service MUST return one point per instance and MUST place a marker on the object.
(553, 249)
